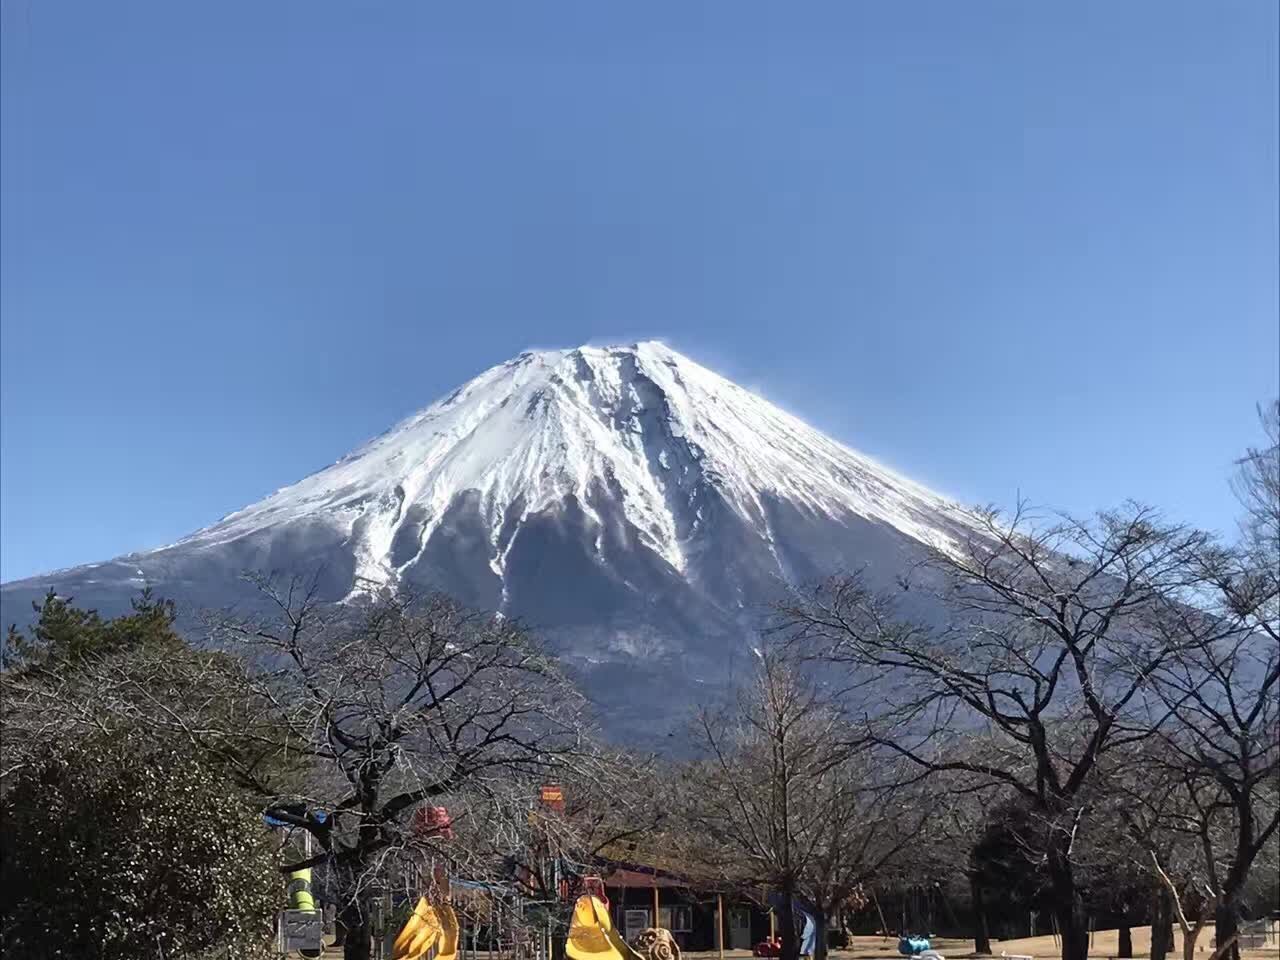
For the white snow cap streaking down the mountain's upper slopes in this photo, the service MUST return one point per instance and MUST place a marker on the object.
(543, 427)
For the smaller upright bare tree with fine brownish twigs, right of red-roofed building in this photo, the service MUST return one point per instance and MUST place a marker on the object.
(781, 798)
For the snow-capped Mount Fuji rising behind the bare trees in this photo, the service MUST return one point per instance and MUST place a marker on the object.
(628, 504)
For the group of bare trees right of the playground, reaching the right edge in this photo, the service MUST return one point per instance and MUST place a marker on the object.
(1094, 728)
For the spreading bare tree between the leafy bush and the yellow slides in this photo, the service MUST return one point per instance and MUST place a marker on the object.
(394, 705)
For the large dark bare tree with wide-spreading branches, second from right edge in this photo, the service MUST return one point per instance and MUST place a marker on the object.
(1057, 633)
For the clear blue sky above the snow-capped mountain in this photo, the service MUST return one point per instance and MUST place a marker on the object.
(1003, 246)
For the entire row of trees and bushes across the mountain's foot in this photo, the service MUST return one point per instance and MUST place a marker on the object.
(1090, 730)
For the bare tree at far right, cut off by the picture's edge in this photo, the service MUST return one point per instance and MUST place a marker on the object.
(1226, 694)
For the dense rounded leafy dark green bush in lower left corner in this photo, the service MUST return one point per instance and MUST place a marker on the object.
(118, 848)
